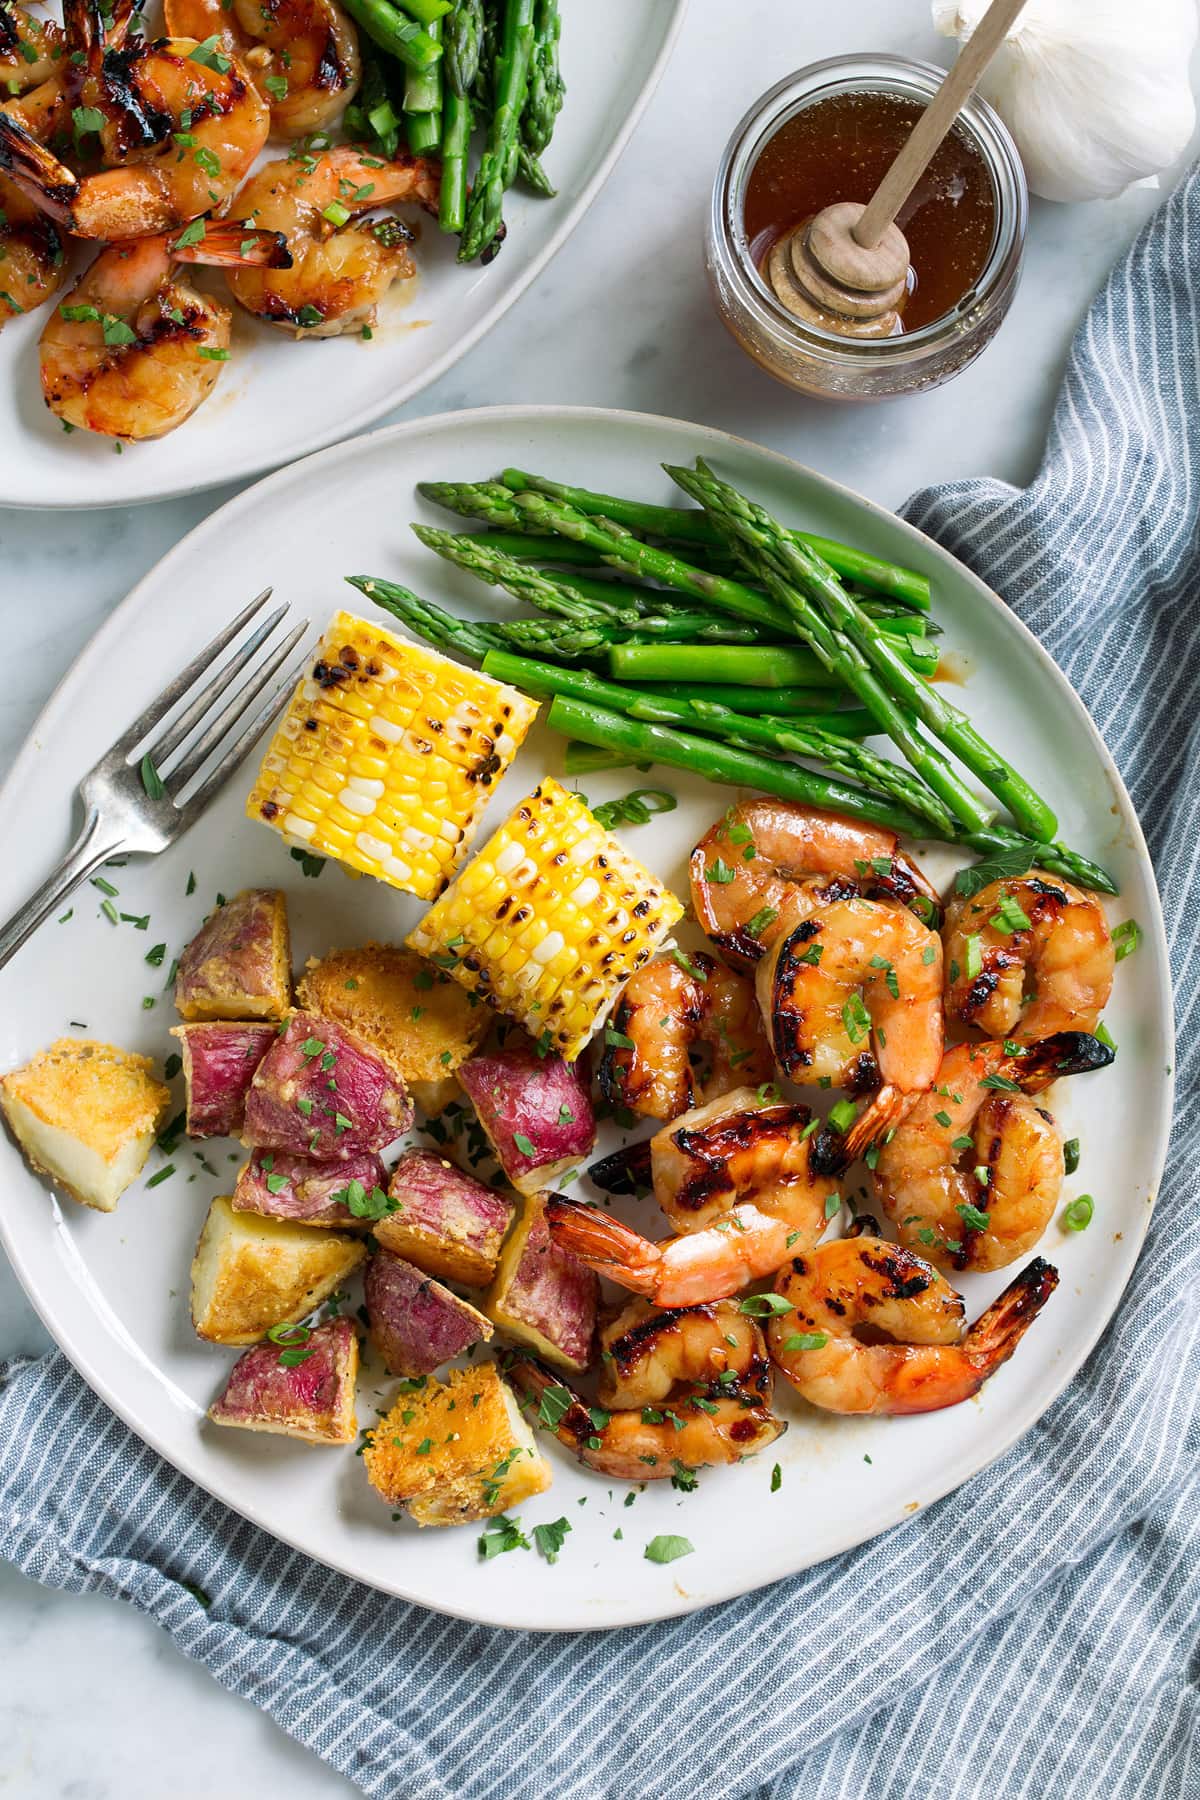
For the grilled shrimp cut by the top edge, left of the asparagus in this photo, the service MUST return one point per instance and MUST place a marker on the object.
(301, 55)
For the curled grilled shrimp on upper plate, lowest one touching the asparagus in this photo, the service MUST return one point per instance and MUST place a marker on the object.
(339, 271)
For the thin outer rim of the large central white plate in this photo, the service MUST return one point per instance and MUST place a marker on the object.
(951, 1475)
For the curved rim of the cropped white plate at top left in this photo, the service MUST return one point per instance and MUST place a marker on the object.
(350, 427)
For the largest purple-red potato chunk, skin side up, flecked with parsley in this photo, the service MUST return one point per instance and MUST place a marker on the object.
(300, 1097)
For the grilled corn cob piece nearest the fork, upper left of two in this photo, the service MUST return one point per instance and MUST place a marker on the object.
(388, 755)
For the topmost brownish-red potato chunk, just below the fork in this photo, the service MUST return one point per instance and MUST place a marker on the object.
(240, 962)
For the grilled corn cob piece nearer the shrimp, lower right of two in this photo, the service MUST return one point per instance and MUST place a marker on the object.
(550, 921)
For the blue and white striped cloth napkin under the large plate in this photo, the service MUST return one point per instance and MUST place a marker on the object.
(1025, 1637)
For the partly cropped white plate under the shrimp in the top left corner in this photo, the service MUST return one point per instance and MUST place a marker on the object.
(280, 399)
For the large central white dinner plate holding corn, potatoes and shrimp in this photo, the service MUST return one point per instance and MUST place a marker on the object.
(114, 1288)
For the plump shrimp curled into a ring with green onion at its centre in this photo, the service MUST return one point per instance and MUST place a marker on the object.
(852, 994)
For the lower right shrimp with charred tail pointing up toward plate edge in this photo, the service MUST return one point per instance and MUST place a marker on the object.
(913, 1354)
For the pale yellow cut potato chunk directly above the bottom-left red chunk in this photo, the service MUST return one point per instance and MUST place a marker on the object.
(251, 1273)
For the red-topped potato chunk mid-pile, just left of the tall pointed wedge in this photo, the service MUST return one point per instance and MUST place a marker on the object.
(447, 1223)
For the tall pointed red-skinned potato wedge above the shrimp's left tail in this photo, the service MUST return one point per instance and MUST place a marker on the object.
(542, 1295)
